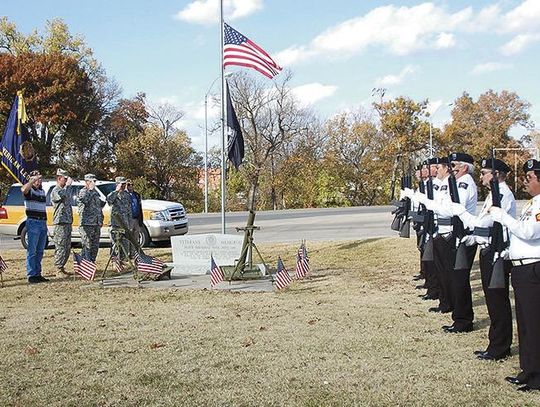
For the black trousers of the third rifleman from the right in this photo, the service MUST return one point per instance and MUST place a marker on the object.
(461, 288)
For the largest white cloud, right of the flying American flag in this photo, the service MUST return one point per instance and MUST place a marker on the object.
(401, 30)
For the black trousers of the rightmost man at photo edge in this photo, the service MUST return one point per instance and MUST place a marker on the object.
(526, 283)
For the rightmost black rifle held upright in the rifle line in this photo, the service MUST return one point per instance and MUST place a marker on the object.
(497, 238)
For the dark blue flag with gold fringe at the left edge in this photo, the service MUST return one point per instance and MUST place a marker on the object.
(17, 153)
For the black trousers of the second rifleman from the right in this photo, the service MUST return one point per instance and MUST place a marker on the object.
(498, 305)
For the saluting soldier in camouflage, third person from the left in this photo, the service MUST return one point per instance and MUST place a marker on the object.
(90, 218)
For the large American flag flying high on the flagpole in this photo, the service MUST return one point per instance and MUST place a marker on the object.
(241, 51)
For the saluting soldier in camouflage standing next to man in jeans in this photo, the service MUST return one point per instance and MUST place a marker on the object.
(62, 220)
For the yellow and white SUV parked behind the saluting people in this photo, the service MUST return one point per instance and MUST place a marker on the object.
(162, 219)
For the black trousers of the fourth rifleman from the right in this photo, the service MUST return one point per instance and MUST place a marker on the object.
(444, 256)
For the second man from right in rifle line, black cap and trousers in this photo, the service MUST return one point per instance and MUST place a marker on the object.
(497, 299)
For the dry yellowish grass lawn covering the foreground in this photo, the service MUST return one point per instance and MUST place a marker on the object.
(354, 334)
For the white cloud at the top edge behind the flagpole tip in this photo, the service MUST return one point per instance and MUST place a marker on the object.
(207, 11)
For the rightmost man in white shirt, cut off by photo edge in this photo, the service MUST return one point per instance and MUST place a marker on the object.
(524, 252)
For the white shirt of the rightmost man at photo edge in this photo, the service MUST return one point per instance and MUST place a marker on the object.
(525, 232)
